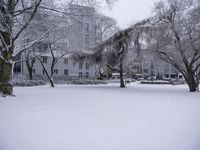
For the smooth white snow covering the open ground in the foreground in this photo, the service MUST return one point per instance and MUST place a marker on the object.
(101, 117)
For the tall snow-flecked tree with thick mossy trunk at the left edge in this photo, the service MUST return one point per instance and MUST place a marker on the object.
(10, 13)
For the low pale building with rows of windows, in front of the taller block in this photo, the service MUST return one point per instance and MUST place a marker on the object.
(65, 68)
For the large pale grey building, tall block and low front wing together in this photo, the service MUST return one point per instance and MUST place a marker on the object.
(80, 35)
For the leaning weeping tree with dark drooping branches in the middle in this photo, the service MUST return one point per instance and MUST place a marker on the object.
(113, 51)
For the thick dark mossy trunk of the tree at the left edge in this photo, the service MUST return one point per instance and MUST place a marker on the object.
(6, 48)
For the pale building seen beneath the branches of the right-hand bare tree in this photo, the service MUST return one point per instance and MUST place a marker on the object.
(150, 66)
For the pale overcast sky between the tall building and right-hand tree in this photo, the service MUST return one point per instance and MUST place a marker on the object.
(127, 12)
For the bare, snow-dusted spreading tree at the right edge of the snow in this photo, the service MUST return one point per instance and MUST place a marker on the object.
(177, 37)
